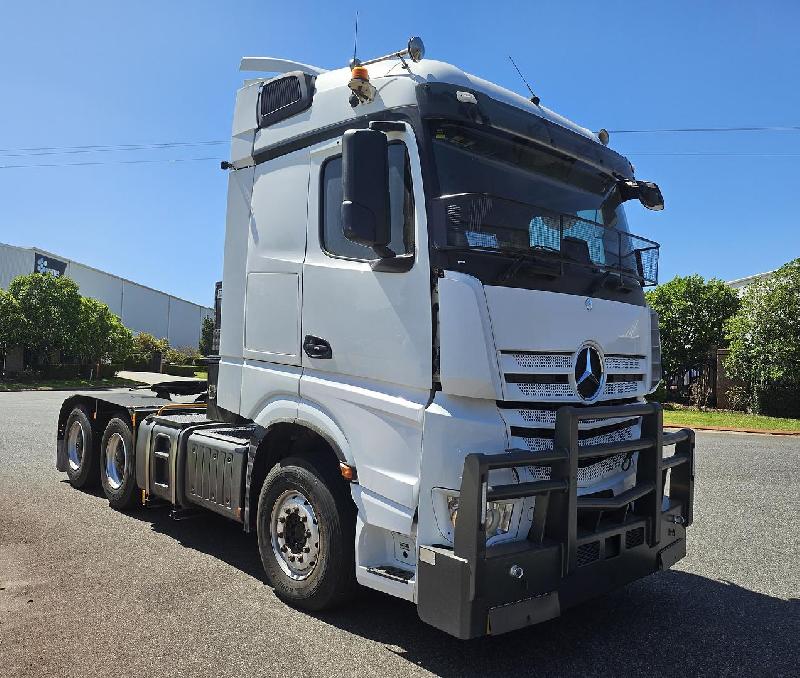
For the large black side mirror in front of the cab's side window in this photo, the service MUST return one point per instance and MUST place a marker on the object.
(365, 189)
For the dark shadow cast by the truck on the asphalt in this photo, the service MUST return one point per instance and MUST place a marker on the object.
(670, 624)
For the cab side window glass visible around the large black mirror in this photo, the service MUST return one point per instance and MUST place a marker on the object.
(401, 197)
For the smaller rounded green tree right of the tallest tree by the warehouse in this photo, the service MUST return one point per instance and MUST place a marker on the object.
(101, 335)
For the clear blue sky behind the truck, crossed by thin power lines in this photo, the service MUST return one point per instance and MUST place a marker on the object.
(108, 73)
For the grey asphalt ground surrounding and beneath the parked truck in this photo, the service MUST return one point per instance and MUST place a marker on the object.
(86, 591)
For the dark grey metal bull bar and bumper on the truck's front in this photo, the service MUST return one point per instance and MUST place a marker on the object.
(471, 589)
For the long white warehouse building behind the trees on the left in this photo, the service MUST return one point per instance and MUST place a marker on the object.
(141, 308)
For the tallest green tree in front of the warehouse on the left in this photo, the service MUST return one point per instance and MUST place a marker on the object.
(47, 315)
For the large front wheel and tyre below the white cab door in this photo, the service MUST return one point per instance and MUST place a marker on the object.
(306, 533)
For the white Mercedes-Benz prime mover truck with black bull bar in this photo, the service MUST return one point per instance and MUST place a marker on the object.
(434, 355)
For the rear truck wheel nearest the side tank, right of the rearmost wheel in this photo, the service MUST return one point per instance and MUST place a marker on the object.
(117, 468)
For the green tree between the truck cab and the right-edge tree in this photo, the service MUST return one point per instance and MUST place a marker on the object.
(692, 314)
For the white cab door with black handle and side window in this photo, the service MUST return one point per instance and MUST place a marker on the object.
(367, 334)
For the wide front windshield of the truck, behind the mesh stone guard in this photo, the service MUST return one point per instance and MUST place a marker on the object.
(502, 192)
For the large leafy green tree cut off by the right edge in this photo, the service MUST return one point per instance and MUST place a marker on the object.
(765, 333)
